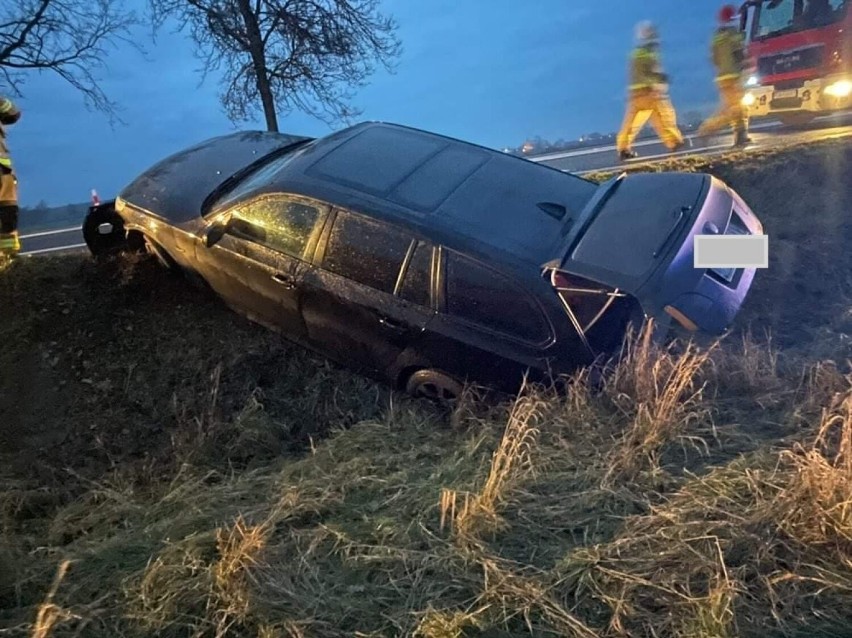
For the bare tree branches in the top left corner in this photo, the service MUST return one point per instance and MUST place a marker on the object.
(67, 37)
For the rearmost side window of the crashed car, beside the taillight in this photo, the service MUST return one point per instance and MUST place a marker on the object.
(484, 297)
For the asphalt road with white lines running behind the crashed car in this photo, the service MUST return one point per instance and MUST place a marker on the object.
(578, 161)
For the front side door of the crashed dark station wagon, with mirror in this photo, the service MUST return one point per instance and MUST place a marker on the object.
(258, 263)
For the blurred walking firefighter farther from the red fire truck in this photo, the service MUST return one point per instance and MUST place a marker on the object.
(648, 96)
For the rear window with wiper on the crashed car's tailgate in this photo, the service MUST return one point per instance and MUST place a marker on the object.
(630, 232)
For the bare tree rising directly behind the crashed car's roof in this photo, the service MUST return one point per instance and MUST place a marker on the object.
(283, 55)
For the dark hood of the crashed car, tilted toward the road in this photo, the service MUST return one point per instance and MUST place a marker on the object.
(175, 188)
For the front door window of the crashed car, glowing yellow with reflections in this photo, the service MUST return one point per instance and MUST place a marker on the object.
(282, 224)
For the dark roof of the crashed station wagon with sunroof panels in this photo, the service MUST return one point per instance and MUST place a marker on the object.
(465, 196)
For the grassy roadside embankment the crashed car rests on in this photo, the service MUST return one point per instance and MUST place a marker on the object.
(169, 469)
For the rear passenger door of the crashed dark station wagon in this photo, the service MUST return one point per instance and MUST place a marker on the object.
(358, 305)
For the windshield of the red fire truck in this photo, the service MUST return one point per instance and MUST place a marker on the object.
(777, 17)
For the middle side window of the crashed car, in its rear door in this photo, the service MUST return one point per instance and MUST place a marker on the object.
(366, 251)
